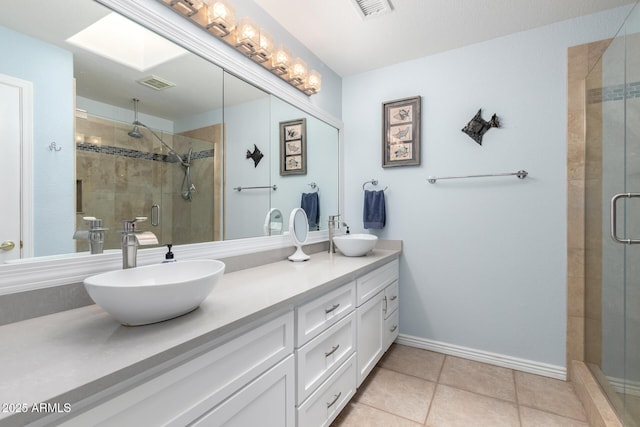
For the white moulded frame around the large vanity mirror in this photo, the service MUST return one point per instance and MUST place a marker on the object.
(44, 272)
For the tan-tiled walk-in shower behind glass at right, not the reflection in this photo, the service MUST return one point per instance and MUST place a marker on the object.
(612, 221)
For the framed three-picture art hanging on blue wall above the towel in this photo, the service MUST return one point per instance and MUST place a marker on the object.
(401, 132)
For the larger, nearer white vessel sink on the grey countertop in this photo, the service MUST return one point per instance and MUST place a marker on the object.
(153, 293)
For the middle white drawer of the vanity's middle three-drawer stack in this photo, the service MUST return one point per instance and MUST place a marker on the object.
(322, 355)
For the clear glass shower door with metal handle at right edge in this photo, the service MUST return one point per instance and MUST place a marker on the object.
(620, 258)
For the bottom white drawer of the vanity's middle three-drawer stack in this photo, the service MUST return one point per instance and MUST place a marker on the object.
(324, 405)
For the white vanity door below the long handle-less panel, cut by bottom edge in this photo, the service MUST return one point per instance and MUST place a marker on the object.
(266, 402)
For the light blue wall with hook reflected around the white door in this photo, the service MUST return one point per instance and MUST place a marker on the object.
(40, 63)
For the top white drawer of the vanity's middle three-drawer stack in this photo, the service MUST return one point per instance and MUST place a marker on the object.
(317, 315)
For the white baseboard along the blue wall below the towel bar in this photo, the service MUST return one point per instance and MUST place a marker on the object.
(524, 365)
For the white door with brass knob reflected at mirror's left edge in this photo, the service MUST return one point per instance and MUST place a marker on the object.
(15, 140)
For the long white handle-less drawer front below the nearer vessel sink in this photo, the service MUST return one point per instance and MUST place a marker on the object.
(187, 390)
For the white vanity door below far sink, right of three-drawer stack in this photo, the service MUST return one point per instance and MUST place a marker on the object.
(370, 335)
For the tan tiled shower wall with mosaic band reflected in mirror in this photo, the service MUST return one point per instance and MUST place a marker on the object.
(123, 177)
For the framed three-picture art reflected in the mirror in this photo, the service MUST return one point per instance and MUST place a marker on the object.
(293, 147)
